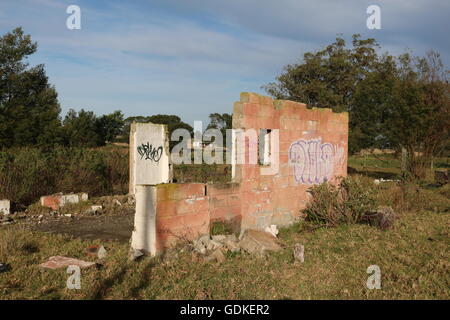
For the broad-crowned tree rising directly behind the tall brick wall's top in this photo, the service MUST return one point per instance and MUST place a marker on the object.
(327, 78)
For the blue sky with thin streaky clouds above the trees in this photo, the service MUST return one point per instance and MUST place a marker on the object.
(194, 57)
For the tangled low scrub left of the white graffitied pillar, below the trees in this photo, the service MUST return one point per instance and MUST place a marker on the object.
(28, 173)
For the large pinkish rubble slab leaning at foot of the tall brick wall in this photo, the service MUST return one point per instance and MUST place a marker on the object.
(258, 242)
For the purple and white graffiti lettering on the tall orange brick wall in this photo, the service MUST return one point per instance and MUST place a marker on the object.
(314, 162)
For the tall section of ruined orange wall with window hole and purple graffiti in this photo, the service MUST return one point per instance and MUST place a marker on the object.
(312, 149)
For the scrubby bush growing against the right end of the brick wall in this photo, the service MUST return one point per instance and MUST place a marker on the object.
(345, 202)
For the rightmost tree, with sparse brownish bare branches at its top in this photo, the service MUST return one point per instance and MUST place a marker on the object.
(419, 117)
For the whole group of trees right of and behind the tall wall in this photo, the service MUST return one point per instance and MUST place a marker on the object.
(398, 102)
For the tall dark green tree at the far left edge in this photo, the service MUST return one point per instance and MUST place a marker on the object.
(29, 108)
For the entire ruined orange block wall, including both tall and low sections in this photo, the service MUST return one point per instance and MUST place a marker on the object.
(313, 146)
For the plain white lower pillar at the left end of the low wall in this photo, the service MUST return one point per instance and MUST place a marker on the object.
(144, 233)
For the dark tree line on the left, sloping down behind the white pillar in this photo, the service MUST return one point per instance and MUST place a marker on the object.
(30, 114)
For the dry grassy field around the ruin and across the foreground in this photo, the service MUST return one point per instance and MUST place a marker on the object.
(413, 256)
